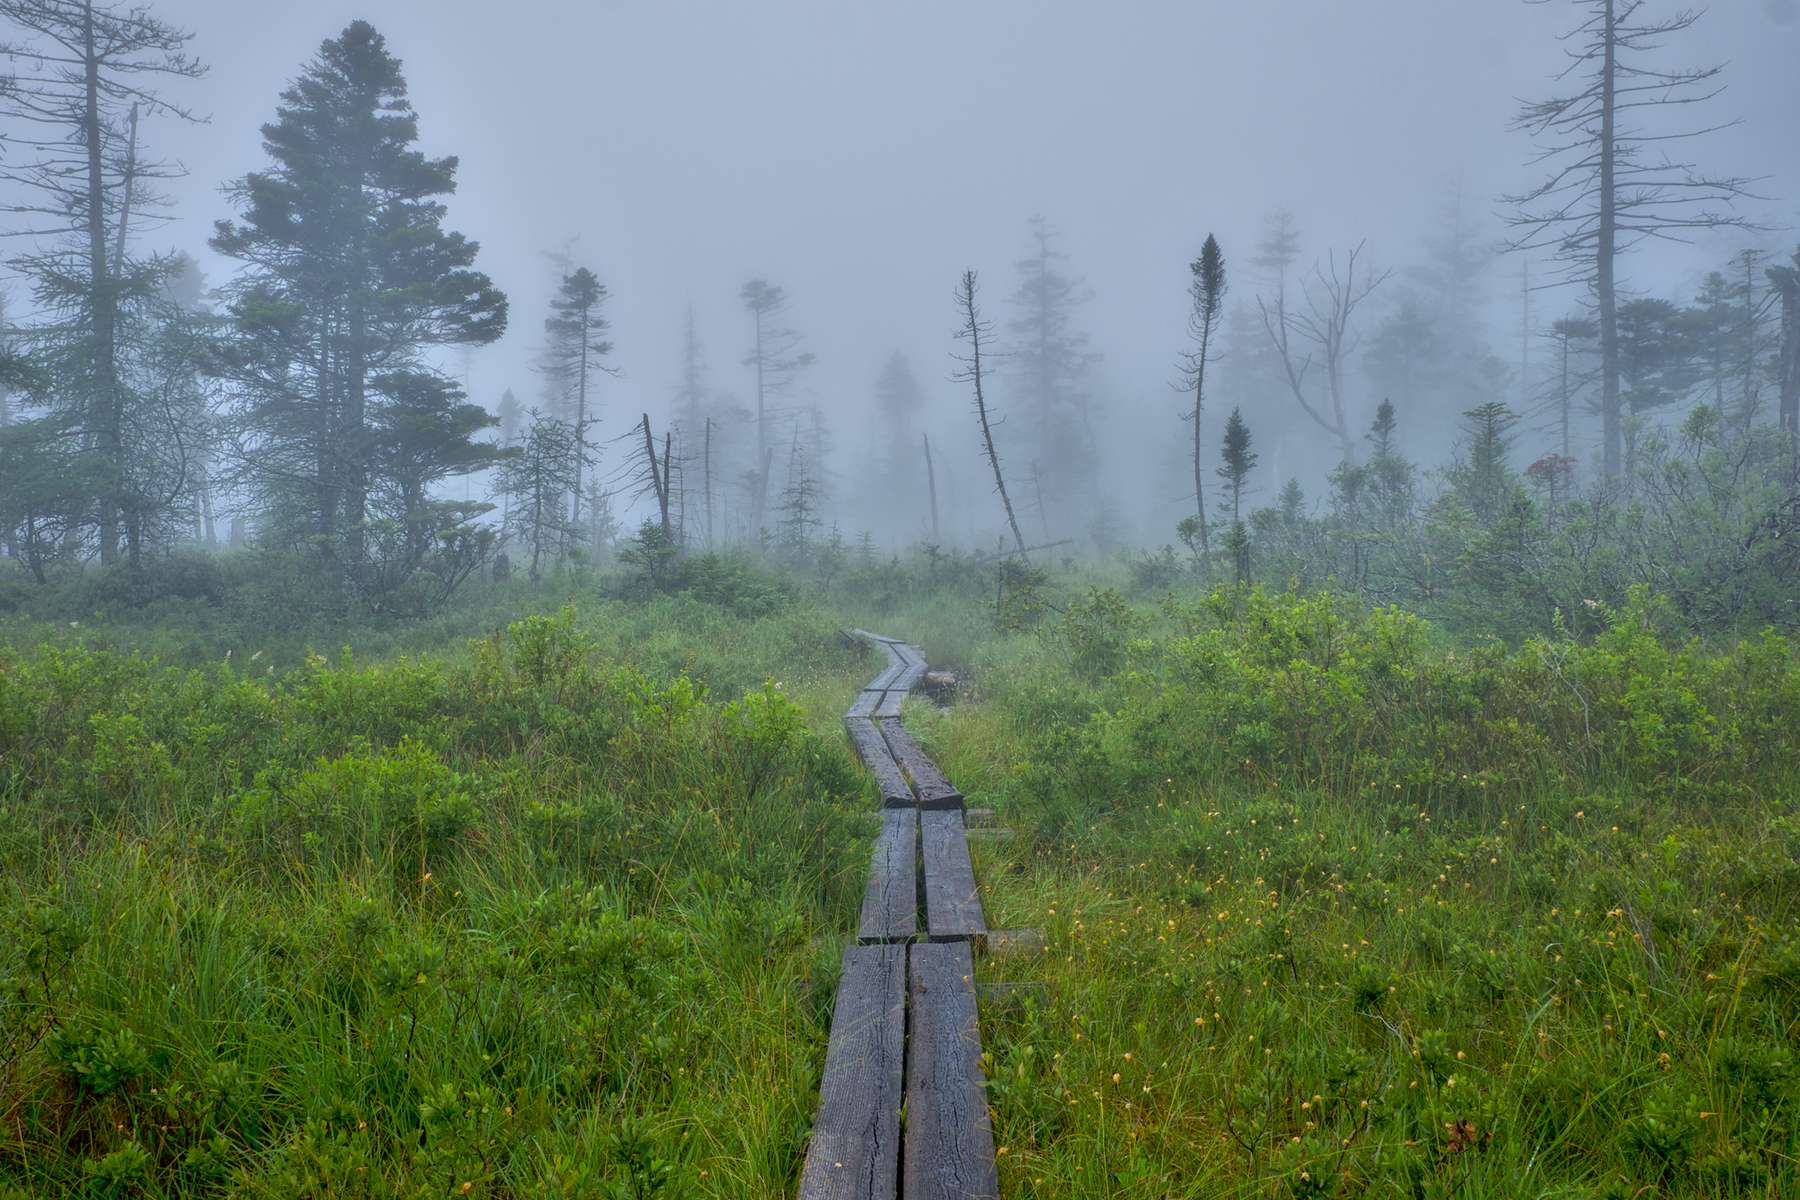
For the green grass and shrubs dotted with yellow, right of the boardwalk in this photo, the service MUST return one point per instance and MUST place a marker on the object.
(1335, 909)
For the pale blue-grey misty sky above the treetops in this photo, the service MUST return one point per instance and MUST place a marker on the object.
(861, 154)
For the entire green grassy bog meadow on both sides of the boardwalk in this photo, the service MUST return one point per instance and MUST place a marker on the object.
(1335, 906)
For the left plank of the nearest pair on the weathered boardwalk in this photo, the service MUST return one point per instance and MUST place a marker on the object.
(856, 1136)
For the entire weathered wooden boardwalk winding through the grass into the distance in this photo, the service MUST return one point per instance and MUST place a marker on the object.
(904, 1032)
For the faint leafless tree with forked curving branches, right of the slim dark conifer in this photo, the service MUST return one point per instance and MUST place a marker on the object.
(1320, 332)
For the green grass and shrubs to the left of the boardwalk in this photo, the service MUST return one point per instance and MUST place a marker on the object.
(517, 920)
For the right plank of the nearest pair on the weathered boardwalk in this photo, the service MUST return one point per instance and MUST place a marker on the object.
(949, 1143)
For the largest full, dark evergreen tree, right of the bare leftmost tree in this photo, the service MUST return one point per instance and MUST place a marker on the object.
(350, 280)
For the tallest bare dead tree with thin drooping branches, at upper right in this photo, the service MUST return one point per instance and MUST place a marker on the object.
(1612, 181)
